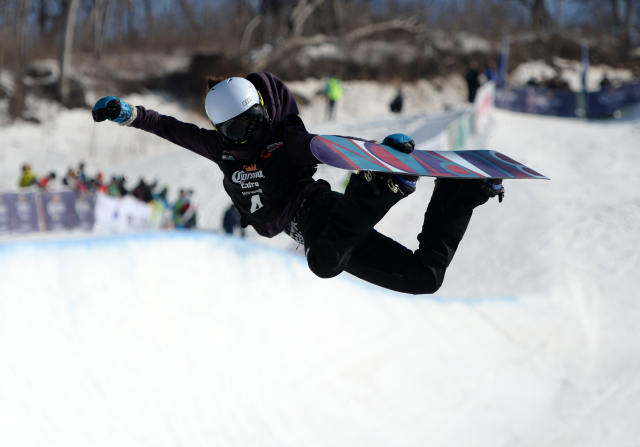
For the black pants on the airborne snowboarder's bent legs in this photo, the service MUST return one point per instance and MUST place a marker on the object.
(339, 236)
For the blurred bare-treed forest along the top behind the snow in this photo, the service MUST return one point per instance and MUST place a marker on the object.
(120, 42)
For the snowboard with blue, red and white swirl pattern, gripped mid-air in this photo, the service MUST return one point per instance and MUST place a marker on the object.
(359, 155)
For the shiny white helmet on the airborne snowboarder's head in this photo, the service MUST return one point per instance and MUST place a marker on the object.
(230, 98)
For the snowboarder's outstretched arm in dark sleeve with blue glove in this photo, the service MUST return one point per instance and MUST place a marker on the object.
(201, 141)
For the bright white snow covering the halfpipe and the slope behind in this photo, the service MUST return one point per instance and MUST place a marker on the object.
(199, 339)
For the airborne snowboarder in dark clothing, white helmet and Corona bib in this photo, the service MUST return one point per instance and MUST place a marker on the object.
(262, 147)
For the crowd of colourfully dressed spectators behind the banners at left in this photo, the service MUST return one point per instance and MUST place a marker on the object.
(183, 210)
